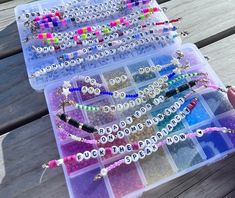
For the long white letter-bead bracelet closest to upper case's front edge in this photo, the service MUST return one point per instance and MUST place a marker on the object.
(163, 40)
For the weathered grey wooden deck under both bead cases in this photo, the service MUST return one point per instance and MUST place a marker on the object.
(26, 137)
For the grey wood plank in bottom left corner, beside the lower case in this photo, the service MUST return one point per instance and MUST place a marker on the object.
(23, 151)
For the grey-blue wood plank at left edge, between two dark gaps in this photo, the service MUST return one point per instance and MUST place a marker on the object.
(18, 101)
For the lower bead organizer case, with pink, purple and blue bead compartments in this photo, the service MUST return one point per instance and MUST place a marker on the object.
(170, 161)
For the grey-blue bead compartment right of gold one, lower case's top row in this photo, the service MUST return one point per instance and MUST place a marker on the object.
(138, 78)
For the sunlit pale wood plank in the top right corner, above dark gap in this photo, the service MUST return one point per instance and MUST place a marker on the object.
(202, 18)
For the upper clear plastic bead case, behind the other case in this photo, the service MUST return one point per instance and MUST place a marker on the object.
(34, 62)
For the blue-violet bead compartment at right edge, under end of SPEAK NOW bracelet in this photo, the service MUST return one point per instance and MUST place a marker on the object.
(229, 121)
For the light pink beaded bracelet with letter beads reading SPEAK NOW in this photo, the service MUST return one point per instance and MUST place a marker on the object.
(153, 147)
